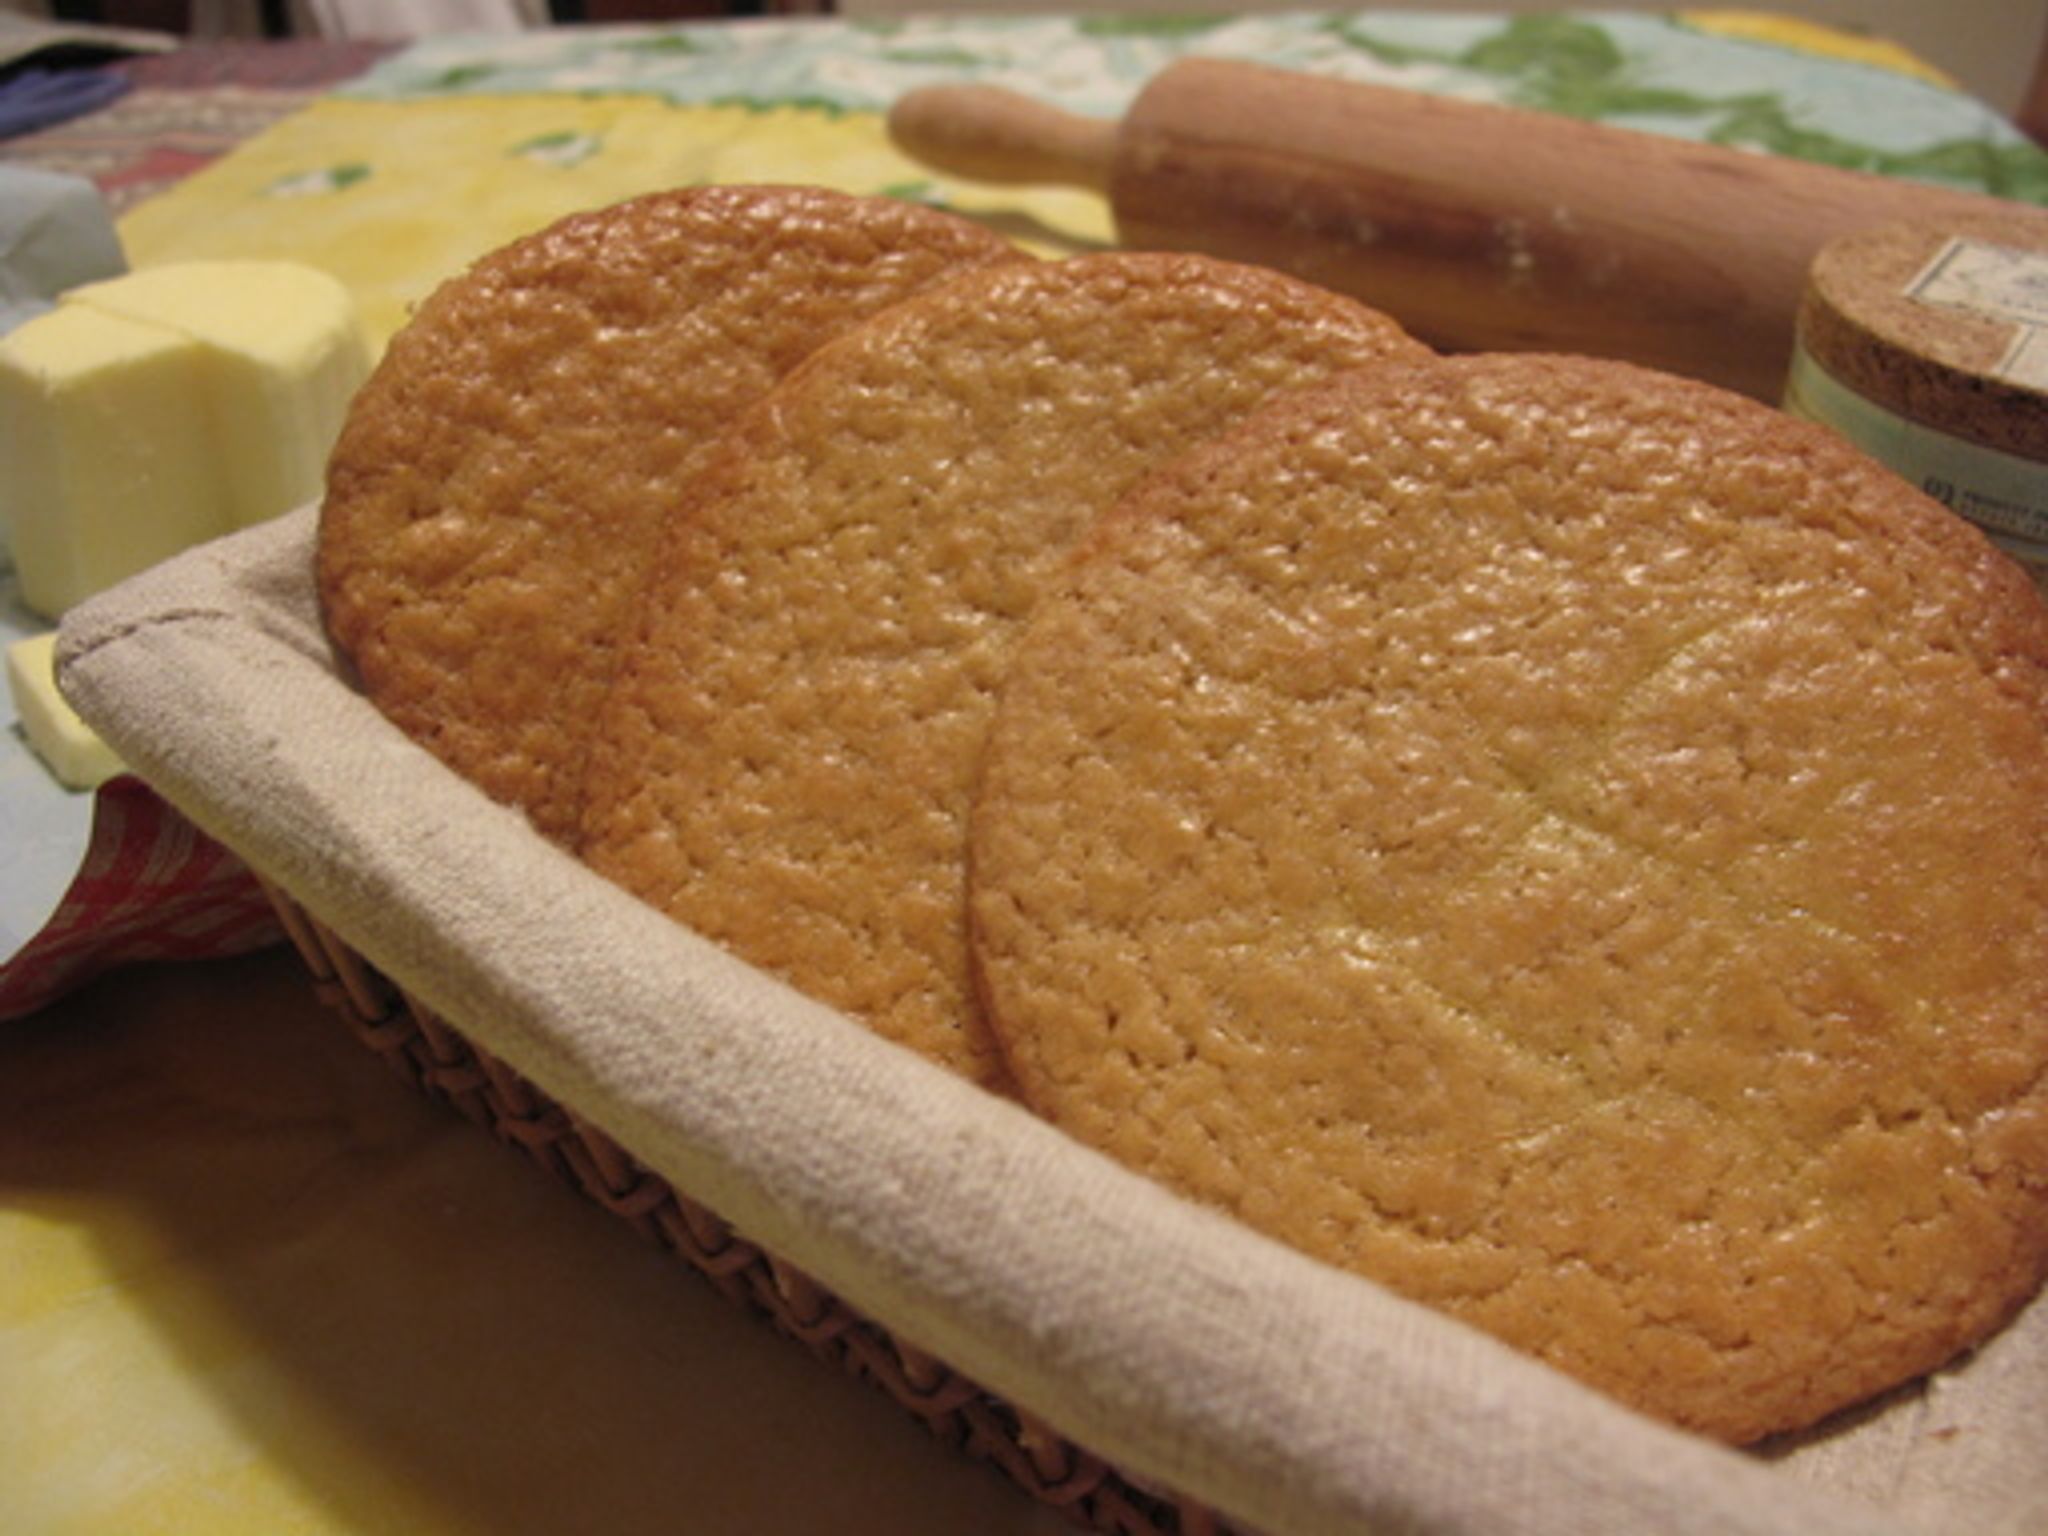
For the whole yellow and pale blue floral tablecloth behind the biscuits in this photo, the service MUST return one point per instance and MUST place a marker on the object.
(458, 144)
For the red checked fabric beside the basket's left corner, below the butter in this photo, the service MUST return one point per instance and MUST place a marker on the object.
(153, 888)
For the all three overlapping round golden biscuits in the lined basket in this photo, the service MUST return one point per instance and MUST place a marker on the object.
(1564, 843)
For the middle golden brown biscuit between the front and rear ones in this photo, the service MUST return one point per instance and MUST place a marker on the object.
(787, 761)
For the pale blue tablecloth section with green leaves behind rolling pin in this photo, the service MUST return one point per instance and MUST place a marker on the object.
(1631, 69)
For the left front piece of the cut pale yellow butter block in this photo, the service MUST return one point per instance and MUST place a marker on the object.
(108, 460)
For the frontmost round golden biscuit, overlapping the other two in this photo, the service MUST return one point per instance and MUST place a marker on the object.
(1568, 845)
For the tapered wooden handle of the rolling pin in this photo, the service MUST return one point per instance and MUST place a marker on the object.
(1000, 136)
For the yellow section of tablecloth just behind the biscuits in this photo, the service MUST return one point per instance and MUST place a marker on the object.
(392, 237)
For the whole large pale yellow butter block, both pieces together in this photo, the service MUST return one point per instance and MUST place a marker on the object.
(163, 409)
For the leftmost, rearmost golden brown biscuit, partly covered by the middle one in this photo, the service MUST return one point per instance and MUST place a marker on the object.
(503, 478)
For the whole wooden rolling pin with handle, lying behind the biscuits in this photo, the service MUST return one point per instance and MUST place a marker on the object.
(1480, 228)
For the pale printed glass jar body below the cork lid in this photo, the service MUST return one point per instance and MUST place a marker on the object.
(2004, 495)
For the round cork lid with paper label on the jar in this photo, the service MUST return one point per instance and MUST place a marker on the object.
(1945, 325)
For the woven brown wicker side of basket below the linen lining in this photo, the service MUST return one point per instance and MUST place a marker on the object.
(433, 1058)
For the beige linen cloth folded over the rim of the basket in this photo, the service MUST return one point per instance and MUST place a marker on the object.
(1187, 1351)
